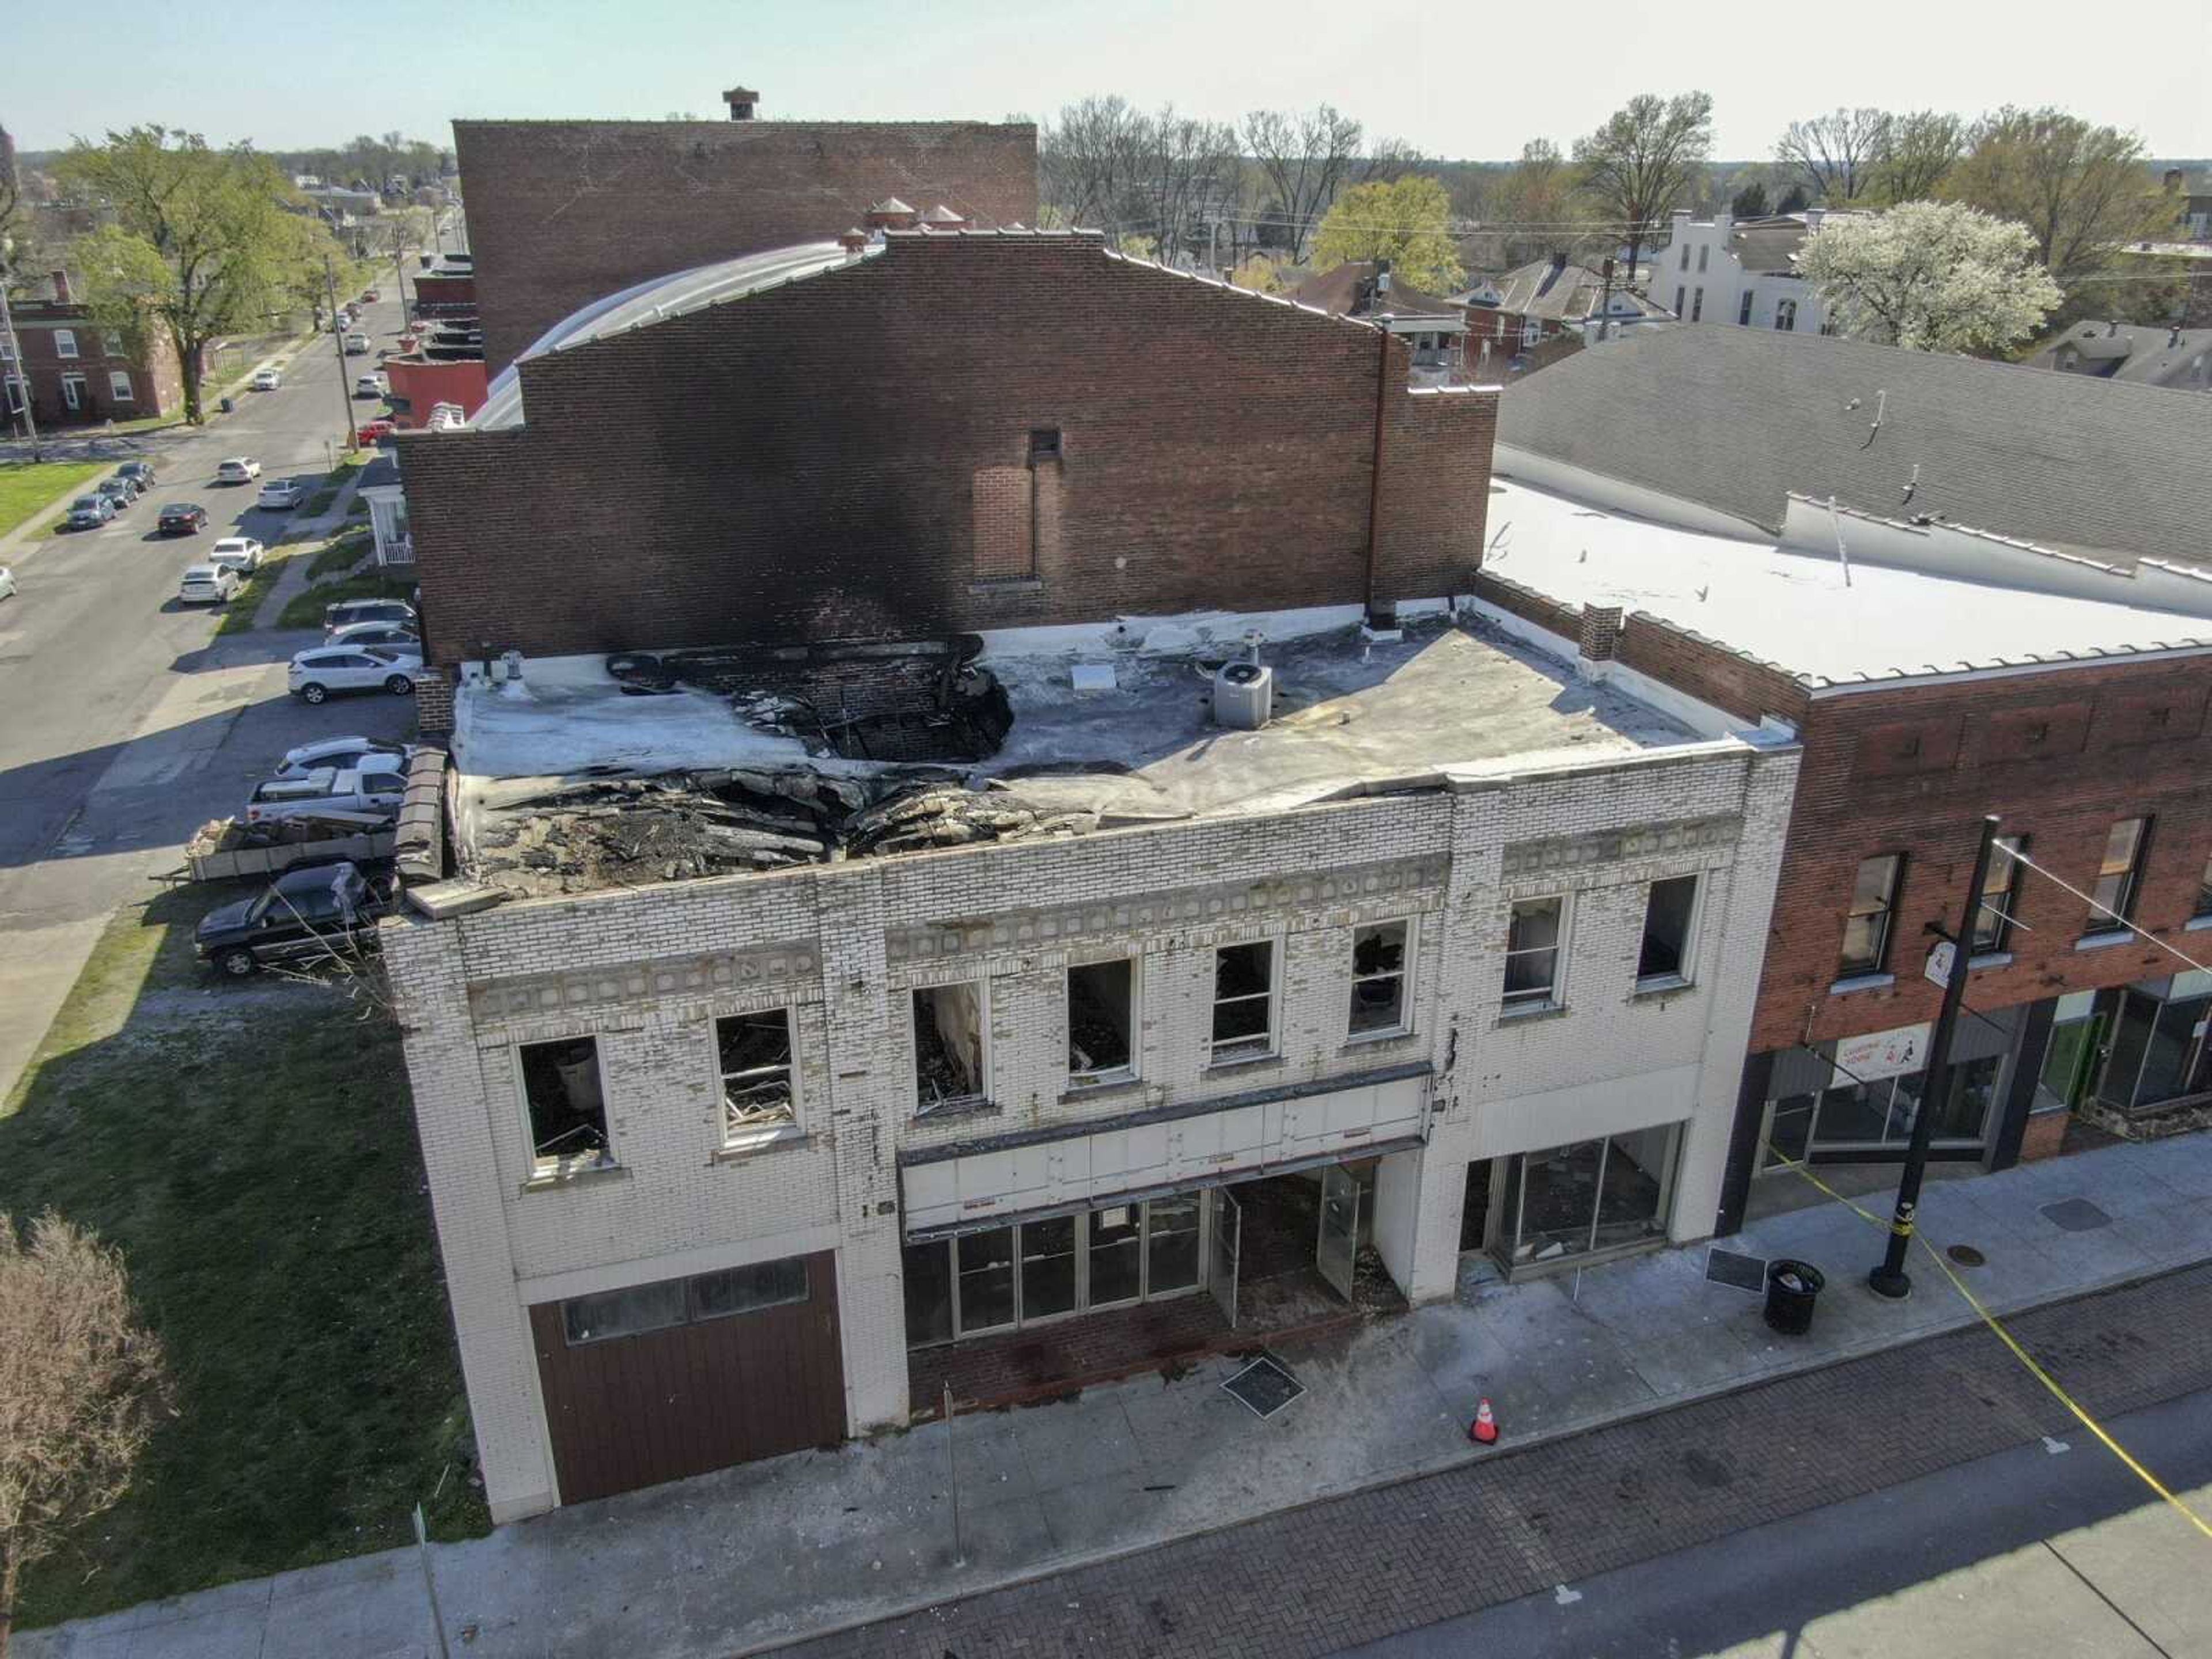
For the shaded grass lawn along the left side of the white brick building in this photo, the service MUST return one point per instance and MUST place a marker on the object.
(251, 1151)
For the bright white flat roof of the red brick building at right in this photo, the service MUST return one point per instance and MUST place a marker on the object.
(1795, 609)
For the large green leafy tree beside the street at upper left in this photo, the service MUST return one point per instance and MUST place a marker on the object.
(200, 242)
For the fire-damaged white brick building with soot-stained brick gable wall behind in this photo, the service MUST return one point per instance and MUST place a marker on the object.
(990, 837)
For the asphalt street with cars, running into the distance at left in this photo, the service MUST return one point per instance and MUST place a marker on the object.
(125, 724)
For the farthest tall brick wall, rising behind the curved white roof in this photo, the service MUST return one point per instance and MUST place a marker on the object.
(563, 213)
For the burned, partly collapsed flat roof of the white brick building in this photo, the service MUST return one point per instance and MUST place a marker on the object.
(574, 784)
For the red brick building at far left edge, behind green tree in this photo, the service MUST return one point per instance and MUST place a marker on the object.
(79, 375)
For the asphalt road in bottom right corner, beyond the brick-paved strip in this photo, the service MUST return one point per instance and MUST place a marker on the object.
(2047, 1550)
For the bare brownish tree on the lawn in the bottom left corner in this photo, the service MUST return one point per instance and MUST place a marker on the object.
(81, 1388)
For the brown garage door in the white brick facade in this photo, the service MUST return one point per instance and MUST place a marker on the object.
(689, 1375)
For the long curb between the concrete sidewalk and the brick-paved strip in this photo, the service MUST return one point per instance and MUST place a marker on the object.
(1463, 1459)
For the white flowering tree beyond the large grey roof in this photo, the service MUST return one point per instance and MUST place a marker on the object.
(1932, 278)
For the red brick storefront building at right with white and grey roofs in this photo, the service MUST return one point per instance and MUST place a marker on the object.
(1877, 554)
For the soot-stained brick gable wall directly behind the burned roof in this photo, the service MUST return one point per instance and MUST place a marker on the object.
(804, 463)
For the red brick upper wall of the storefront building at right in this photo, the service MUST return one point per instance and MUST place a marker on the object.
(2058, 755)
